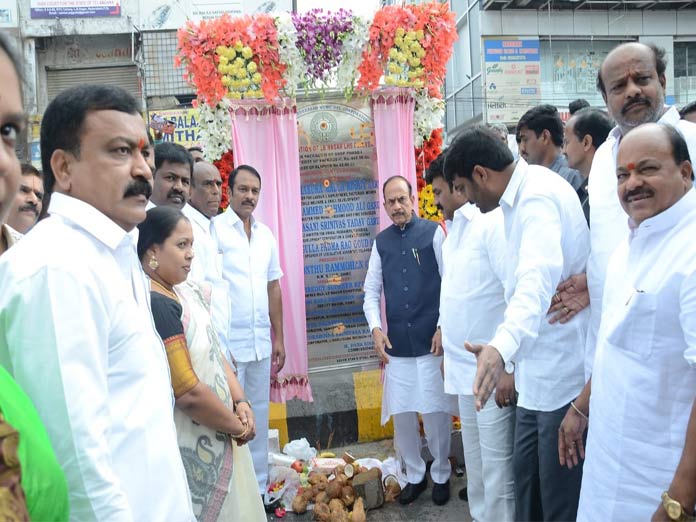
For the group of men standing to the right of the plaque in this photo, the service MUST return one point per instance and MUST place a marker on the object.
(561, 292)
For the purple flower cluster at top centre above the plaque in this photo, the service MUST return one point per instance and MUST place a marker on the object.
(320, 36)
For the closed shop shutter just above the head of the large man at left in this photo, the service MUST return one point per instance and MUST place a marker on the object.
(124, 76)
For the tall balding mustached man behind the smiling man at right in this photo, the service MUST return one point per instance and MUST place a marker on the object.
(607, 218)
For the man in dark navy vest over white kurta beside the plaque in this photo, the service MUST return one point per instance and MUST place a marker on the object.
(405, 263)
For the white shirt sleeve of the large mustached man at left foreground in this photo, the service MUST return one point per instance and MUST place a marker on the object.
(58, 340)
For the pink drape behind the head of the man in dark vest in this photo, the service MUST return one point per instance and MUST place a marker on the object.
(392, 109)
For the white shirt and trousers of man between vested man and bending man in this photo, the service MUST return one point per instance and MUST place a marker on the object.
(472, 304)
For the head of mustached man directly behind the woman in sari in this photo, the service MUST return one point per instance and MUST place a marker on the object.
(172, 177)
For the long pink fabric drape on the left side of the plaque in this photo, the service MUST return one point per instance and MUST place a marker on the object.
(265, 137)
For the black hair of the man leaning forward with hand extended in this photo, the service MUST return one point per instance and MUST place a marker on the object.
(476, 145)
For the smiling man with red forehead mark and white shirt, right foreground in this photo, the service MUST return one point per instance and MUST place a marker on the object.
(642, 394)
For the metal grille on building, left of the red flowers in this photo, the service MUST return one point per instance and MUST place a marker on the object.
(161, 77)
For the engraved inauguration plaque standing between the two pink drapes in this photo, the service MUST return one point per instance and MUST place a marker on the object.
(340, 209)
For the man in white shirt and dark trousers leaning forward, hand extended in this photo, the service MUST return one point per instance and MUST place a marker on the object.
(546, 240)
